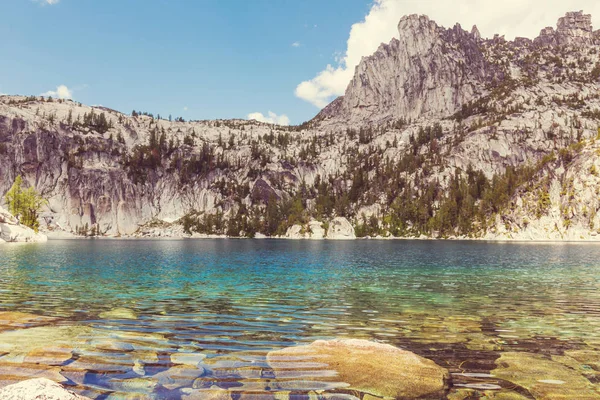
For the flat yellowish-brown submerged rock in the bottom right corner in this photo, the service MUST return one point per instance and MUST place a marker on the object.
(543, 378)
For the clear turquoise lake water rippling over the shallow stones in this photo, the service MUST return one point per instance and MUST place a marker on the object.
(458, 303)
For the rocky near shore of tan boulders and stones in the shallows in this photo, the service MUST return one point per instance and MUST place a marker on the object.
(47, 358)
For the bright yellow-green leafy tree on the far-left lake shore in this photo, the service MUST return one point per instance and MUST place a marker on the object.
(24, 203)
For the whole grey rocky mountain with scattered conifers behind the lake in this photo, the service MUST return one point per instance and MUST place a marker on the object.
(440, 133)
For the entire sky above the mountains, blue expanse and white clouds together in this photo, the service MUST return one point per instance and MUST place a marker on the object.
(276, 61)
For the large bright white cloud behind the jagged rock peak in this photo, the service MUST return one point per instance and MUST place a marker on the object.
(509, 17)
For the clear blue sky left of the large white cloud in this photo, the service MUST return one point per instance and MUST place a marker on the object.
(217, 58)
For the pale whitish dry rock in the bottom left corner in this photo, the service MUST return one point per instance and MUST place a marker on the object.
(38, 389)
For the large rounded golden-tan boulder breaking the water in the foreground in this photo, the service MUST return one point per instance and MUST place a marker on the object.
(372, 368)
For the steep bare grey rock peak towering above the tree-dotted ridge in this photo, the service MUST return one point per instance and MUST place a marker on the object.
(428, 71)
